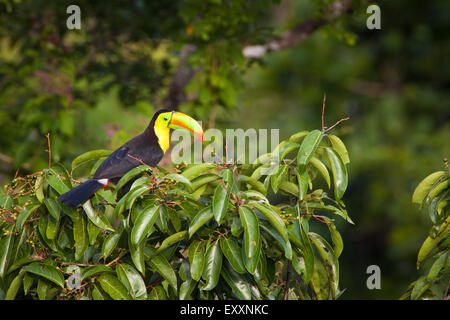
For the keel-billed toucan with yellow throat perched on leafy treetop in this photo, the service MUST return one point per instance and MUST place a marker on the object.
(148, 147)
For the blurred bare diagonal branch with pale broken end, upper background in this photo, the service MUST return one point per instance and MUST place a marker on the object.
(298, 33)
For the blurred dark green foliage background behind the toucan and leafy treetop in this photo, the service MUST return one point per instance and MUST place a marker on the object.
(96, 87)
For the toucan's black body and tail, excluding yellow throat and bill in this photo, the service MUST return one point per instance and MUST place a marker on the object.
(144, 147)
